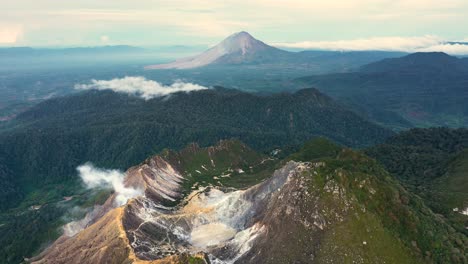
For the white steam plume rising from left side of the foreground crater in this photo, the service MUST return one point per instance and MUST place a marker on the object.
(94, 177)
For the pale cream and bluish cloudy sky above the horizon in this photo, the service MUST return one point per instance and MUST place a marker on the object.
(289, 23)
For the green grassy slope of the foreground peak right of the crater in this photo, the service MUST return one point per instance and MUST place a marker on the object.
(379, 211)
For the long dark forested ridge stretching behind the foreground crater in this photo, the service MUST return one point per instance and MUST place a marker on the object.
(44, 145)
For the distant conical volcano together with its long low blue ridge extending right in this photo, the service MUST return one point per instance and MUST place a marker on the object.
(243, 49)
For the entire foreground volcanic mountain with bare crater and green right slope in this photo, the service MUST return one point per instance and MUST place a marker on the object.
(339, 207)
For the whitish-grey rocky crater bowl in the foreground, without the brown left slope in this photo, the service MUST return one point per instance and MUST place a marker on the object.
(223, 224)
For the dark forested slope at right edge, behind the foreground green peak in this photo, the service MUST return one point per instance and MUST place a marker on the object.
(432, 163)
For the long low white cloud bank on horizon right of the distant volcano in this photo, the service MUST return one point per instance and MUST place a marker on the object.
(406, 44)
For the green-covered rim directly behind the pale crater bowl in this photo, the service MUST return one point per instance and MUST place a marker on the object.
(228, 164)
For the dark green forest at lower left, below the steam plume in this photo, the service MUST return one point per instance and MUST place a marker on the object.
(35, 222)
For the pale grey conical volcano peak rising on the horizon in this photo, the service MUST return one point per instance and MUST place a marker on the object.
(236, 49)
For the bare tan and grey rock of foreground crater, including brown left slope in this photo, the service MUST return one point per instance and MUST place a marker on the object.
(222, 224)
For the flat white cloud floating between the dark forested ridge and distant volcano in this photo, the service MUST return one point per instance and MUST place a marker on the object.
(140, 86)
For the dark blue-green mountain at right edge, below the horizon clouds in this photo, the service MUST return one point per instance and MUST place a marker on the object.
(421, 89)
